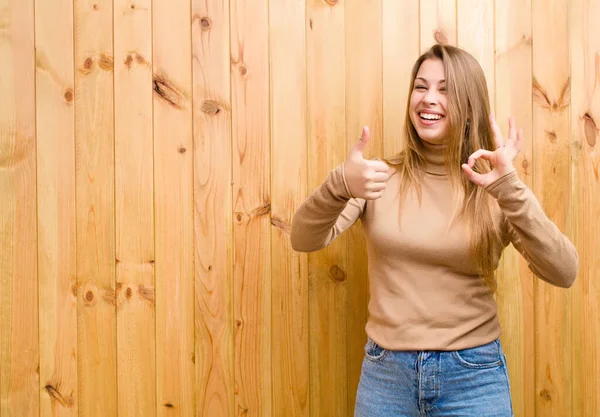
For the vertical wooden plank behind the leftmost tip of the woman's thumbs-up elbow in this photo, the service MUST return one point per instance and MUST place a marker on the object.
(290, 360)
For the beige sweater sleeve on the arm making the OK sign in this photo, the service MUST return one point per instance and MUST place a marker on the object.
(549, 253)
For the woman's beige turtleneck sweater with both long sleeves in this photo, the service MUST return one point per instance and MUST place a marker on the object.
(425, 293)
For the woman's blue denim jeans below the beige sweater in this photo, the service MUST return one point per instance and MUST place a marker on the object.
(470, 382)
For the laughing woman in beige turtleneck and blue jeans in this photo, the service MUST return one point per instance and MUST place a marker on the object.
(436, 219)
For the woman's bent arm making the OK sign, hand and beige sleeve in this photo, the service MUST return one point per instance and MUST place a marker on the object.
(550, 255)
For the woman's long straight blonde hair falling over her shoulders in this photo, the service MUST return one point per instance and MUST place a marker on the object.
(469, 130)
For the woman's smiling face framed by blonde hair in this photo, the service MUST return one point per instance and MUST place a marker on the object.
(428, 102)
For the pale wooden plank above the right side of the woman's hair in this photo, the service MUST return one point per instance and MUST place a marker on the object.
(475, 23)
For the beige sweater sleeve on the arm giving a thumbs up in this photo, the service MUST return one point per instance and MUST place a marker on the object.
(326, 213)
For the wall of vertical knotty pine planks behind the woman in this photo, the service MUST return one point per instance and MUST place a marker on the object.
(152, 154)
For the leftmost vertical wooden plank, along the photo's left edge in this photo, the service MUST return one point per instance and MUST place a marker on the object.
(19, 354)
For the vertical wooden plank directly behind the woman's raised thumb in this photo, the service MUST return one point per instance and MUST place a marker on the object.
(364, 106)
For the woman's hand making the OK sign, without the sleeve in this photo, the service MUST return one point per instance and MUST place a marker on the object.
(501, 159)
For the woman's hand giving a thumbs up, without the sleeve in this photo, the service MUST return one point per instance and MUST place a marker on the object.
(365, 178)
